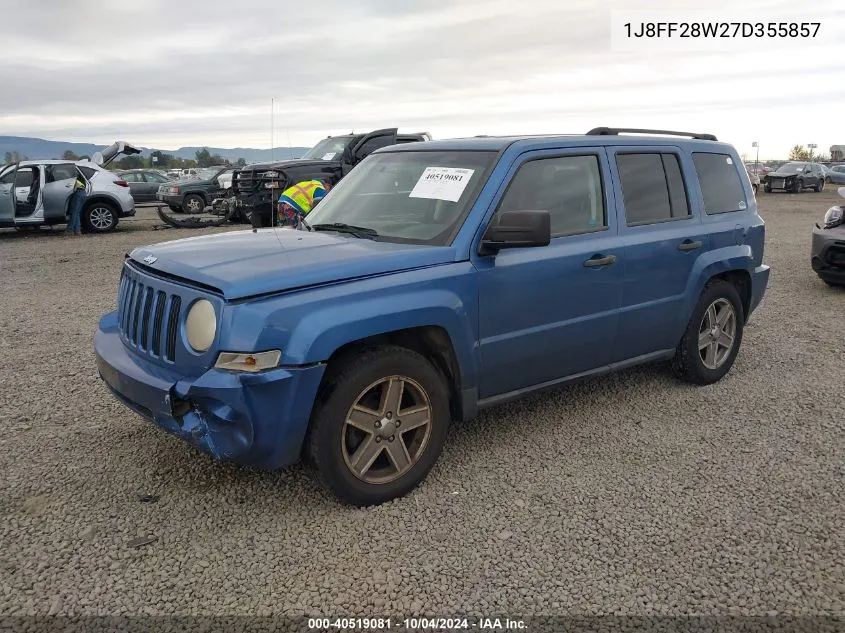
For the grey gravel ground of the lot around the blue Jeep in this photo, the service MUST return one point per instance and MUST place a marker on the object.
(631, 494)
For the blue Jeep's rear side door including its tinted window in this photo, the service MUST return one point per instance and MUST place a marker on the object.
(661, 229)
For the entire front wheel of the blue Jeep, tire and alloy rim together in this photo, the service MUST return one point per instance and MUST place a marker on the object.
(379, 425)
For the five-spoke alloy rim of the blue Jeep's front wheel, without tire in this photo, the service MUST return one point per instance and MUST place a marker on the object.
(386, 430)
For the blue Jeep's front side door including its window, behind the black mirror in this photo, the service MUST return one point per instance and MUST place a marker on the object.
(549, 312)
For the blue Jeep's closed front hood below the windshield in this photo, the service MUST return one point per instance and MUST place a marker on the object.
(253, 262)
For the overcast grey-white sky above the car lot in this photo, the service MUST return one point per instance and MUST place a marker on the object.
(172, 73)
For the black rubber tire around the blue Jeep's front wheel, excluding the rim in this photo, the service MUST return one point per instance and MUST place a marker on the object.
(341, 390)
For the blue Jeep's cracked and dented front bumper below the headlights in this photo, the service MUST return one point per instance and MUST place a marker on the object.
(256, 419)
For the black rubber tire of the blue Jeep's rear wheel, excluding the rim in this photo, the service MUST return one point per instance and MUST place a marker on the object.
(687, 363)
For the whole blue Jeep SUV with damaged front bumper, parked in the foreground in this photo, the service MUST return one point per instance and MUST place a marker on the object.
(437, 279)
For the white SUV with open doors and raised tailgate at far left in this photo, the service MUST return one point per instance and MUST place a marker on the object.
(37, 192)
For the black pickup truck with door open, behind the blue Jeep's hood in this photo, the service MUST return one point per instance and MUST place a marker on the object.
(257, 186)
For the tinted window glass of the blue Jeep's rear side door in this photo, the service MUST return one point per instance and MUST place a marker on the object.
(652, 187)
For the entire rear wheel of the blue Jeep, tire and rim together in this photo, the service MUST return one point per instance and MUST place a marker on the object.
(708, 348)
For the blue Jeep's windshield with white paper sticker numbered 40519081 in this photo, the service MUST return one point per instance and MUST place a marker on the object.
(418, 197)
